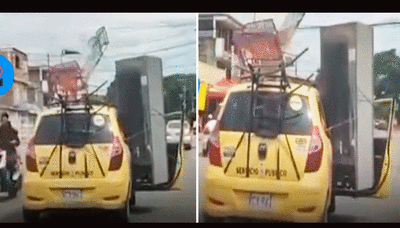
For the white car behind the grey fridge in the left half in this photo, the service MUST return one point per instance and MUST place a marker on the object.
(174, 130)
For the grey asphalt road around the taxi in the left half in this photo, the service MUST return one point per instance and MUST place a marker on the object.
(176, 205)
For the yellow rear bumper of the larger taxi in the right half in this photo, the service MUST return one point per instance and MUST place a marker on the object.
(304, 200)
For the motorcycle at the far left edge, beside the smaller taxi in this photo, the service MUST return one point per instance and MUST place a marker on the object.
(10, 183)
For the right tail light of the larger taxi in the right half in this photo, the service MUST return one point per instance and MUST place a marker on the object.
(314, 157)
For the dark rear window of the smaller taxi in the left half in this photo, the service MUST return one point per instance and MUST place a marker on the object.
(78, 129)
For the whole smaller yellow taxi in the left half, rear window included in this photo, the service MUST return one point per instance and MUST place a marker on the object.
(77, 160)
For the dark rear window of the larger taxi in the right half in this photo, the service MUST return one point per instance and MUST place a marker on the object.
(267, 113)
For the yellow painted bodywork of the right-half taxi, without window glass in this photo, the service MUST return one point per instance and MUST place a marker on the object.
(269, 187)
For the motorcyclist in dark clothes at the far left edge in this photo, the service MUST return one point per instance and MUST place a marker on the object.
(9, 141)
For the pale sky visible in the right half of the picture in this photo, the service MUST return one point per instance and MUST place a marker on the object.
(385, 37)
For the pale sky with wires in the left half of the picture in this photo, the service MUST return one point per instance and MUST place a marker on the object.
(170, 36)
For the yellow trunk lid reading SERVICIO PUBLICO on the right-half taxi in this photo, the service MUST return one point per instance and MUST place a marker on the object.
(268, 158)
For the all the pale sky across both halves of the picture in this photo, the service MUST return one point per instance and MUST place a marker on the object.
(170, 36)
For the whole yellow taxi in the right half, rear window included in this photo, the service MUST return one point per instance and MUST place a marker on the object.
(282, 170)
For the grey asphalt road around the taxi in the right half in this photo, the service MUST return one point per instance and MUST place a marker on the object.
(348, 209)
